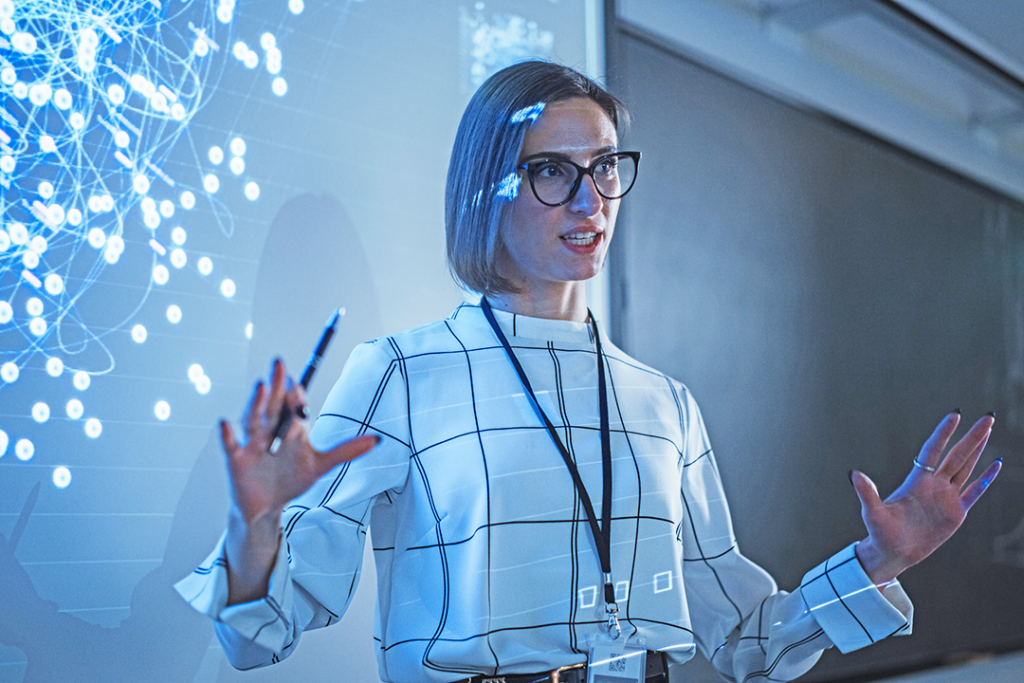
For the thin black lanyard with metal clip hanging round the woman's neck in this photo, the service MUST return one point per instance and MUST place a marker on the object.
(603, 534)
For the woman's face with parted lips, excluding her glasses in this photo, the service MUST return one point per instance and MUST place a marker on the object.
(550, 246)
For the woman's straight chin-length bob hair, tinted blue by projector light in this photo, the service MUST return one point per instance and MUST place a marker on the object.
(483, 177)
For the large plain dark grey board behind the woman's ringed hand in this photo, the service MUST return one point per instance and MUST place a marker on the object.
(828, 300)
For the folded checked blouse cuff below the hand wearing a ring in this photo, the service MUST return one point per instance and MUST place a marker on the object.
(849, 608)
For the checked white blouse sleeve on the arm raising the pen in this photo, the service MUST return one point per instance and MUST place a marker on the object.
(324, 531)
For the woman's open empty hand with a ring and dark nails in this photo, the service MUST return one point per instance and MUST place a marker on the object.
(930, 506)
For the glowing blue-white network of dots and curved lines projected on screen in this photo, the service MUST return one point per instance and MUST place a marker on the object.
(95, 99)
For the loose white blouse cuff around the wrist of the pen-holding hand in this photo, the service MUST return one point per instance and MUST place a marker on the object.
(266, 622)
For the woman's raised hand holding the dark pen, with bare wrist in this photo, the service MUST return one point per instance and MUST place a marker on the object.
(263, 484)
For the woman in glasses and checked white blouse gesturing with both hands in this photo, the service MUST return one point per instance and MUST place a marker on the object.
(538, 499)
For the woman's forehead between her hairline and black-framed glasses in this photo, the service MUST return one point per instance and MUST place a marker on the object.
(571, 126)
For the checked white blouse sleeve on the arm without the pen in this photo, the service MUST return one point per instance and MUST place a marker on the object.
(743, 623)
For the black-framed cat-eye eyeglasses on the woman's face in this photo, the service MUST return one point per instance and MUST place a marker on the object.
(556, 182)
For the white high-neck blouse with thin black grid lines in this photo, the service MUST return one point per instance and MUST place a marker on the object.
(486, 563)
